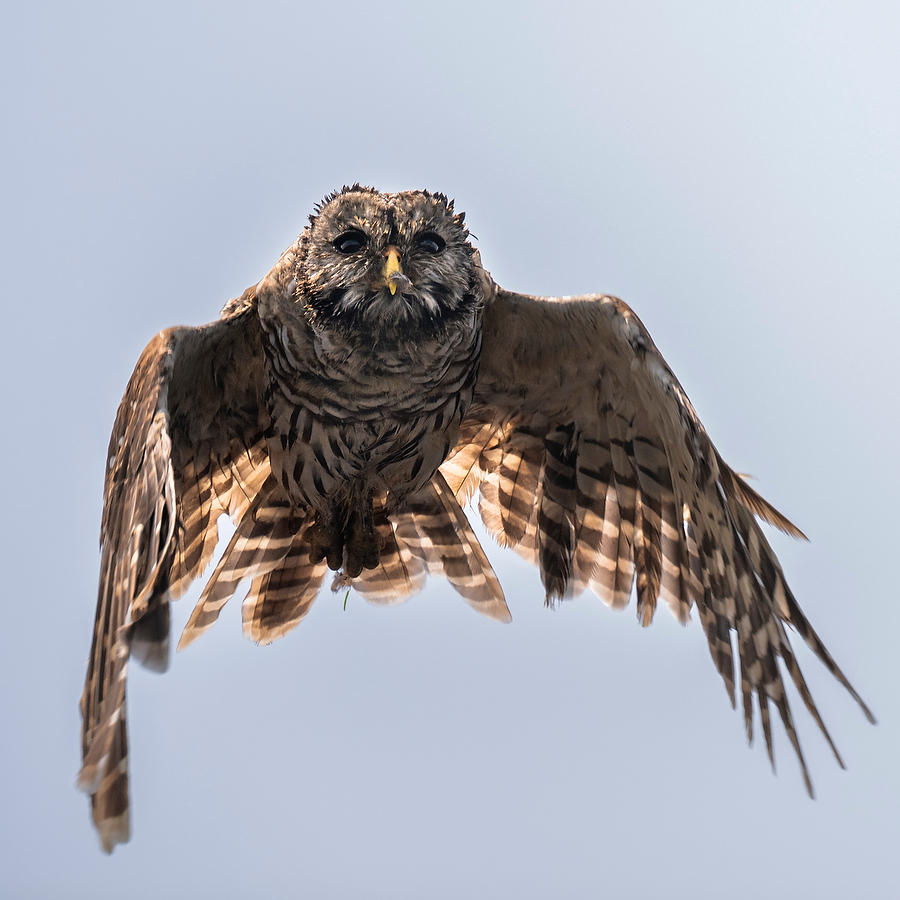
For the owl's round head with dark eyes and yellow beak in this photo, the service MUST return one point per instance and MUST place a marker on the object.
(387, 266)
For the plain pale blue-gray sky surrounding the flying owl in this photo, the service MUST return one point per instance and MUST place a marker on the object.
(732, 172)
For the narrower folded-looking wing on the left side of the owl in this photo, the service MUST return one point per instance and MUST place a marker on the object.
(187, 445)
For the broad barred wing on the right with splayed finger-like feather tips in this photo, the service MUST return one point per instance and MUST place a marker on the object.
(591, 462)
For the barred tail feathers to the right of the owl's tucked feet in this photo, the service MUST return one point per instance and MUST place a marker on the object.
(431, 535)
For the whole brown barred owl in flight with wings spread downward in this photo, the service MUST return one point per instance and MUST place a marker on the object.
(343, 411)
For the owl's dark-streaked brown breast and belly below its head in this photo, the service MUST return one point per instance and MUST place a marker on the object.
(371, 424)
